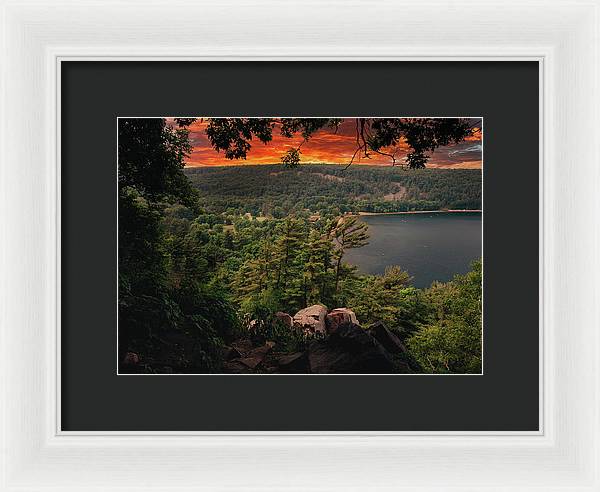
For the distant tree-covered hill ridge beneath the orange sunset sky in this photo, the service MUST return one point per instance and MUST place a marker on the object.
(272, 190)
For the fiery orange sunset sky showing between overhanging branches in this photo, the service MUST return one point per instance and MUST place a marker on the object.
(328, 146)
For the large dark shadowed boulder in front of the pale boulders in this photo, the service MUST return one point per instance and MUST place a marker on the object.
(350, 349)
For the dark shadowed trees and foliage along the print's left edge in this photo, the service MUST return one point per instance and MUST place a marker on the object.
(167, 314)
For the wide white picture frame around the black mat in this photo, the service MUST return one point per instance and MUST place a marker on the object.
(561, 35)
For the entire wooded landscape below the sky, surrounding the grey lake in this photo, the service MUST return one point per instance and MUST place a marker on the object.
(241, 269)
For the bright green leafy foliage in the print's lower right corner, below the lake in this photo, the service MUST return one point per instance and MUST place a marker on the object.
(450, 340)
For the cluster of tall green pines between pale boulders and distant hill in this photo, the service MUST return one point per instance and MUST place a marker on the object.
(297, 261)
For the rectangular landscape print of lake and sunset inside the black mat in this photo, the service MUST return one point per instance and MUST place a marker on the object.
(260, 217)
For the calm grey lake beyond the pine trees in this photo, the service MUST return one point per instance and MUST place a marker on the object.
(429, 246)
